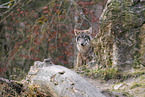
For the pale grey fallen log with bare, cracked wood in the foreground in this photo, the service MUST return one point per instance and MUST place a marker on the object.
(60, 81)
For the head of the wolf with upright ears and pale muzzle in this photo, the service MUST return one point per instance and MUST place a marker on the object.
(83, 40)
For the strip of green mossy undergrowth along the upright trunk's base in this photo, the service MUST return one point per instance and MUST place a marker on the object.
(110, 73)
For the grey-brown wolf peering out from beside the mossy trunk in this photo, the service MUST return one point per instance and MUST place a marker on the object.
(85, 49)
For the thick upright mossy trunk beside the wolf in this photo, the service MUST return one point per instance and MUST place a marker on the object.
(120, 43)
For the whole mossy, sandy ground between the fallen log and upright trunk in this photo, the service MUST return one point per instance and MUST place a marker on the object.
(130, 83)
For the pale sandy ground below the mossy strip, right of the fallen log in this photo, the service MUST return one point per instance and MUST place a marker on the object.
(130, 87)
